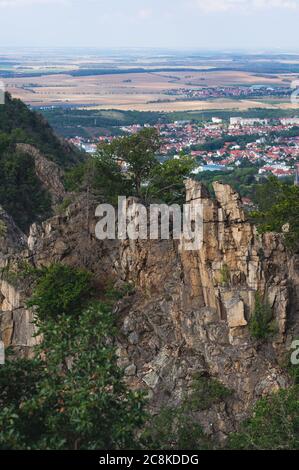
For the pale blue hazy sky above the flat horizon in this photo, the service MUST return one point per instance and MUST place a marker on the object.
(204, 24)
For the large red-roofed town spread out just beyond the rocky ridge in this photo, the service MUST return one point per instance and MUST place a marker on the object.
(271, 144)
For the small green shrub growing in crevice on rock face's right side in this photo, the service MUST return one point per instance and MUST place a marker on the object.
(260, 325)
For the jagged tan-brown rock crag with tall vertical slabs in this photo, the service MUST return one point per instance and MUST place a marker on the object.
(191, 309)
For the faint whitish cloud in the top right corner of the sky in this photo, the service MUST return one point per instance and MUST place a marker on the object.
(245, 5)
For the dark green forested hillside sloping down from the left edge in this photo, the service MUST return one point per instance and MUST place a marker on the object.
(22, 194)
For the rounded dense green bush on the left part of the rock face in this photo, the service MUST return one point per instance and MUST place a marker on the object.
(61, 290)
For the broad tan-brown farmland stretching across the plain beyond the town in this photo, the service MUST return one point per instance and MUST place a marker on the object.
(149, 91)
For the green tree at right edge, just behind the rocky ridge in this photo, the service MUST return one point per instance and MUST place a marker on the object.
(279, 210)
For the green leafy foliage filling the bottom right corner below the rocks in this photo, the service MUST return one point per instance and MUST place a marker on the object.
(274, 424)
